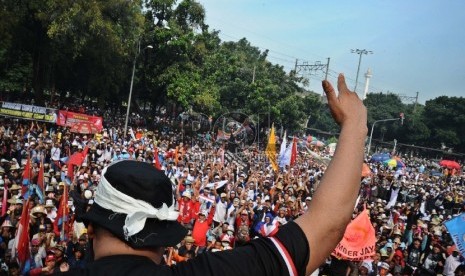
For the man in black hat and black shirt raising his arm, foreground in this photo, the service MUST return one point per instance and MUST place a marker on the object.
(132, 219)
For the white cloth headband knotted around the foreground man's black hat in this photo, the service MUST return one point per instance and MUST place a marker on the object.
(137, 211)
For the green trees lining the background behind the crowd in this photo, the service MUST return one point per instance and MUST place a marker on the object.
(88, 47)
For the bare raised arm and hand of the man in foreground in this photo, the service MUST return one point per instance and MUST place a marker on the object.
(325, 222)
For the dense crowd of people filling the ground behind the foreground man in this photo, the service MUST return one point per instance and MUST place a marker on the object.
(223, 203)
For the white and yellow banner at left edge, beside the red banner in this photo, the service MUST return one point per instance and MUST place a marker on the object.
(28, 112)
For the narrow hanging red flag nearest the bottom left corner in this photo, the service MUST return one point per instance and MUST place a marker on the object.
(21, 244)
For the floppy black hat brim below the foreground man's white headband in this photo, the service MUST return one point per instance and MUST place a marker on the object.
(156, 233)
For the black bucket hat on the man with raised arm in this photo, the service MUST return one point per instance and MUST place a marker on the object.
(142, 183)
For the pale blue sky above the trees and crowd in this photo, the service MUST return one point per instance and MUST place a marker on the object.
(417, 45)
